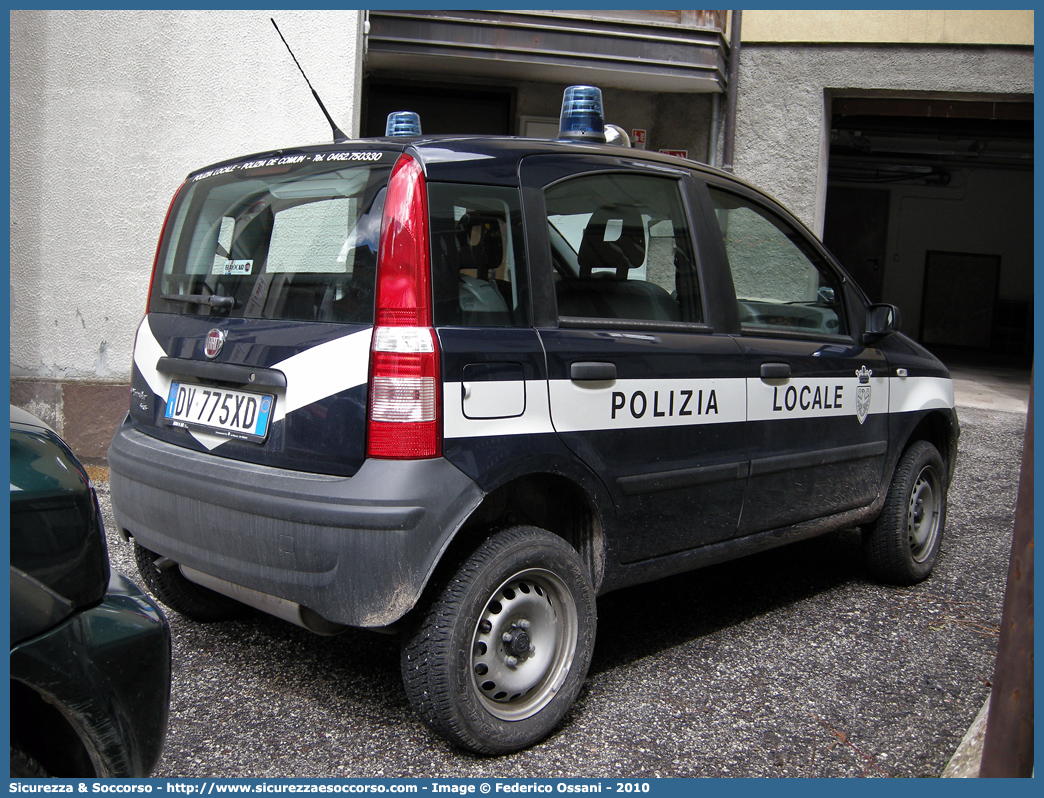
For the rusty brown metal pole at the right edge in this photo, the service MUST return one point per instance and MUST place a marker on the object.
(1009, 747)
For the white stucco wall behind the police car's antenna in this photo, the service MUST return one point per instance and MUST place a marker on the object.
(109, 111)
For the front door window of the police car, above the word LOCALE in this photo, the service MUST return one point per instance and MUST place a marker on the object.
(781, 281)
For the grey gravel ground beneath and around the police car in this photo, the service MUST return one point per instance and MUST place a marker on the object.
(788, 664)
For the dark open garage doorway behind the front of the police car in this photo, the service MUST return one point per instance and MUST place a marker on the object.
(930, 206)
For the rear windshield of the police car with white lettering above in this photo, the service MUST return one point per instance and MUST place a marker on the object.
(284, 245)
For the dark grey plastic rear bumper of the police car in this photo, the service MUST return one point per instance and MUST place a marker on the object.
(358, 551)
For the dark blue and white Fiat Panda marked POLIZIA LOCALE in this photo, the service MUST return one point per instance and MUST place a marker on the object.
(460, 387)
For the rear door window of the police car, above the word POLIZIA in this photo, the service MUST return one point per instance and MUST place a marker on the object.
(622, 250)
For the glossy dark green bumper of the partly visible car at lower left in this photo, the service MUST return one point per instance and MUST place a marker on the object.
(108, 671)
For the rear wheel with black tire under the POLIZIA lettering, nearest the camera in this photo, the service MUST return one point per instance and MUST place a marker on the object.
(501, 655)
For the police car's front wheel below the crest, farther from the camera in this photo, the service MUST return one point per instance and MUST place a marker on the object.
(903, 546)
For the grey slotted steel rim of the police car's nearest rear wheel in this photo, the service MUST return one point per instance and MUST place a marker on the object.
(524, 645)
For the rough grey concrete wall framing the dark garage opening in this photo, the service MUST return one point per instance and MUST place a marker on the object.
(782, 128)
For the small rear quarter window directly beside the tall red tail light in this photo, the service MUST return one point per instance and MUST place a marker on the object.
(478, 256)
